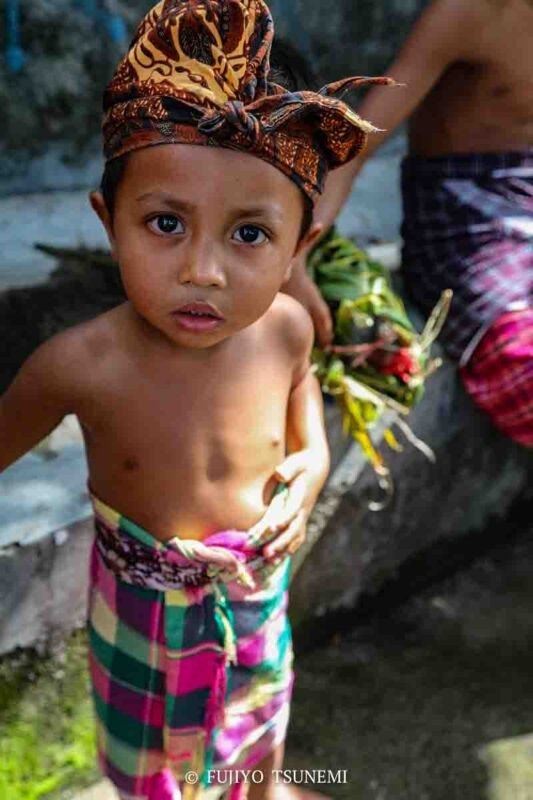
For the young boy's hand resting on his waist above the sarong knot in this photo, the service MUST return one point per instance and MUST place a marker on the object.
(284, 523)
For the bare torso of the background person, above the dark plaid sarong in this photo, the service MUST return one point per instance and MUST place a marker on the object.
(485, 104)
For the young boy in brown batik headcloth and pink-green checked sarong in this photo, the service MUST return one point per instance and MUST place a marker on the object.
(190, 397)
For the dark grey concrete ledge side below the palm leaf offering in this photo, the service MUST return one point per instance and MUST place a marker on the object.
(478, 476)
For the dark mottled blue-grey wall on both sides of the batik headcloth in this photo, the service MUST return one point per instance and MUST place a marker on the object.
(51, 109)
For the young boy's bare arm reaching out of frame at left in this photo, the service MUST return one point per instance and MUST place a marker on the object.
(34, 404)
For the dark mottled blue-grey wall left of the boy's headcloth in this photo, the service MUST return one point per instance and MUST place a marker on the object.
(53, 102)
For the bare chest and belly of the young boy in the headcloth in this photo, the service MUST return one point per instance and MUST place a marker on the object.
(172, 443)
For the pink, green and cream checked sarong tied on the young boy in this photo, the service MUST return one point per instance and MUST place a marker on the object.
(191, 668)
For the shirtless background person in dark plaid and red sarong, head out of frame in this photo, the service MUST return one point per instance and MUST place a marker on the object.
(467, 192)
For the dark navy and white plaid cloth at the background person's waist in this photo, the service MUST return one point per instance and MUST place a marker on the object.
(468, 226)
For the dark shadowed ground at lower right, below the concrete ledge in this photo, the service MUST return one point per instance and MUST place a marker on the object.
(408, 704)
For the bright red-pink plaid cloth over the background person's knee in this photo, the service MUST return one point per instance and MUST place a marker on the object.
(499, 376)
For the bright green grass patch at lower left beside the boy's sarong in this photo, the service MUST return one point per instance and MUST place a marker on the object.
(47, 747)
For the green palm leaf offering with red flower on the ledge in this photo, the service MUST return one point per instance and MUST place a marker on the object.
(378, 362)
